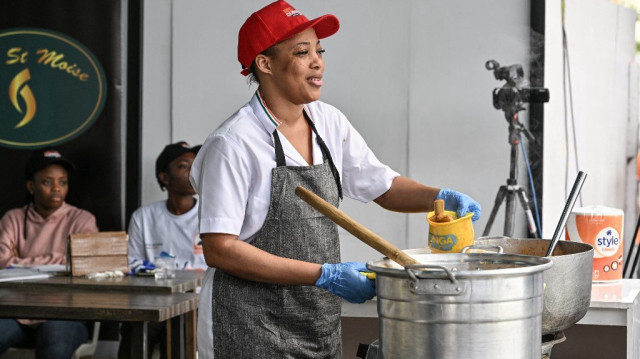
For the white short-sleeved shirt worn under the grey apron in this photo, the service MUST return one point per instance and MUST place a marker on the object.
(232, 171)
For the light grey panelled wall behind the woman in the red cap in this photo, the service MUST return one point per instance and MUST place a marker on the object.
(410, 78)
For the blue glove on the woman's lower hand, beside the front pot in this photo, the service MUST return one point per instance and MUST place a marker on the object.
(346, 281)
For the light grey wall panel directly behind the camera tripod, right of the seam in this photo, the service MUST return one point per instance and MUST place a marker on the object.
(456, 138)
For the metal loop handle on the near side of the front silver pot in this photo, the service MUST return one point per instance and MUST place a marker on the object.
(434, 286)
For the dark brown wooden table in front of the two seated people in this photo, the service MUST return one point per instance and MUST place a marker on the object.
(131, 298)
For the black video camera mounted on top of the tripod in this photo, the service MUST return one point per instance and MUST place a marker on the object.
(511, 97)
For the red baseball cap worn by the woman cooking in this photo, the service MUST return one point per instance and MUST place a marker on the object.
(274, 23)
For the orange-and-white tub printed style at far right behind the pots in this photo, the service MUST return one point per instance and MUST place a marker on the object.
(603, 230)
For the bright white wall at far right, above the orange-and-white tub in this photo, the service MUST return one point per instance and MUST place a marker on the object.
(601, 47)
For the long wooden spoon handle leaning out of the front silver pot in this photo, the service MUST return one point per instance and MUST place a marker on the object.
(340, 218)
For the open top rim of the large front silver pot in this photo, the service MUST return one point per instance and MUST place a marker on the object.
(463, 265)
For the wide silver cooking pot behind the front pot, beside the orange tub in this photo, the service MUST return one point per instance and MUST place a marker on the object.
(567, 293)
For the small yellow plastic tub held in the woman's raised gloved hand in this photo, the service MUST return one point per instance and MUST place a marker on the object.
(450, 237)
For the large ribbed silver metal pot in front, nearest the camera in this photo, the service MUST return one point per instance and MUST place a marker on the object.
(460, 306)
